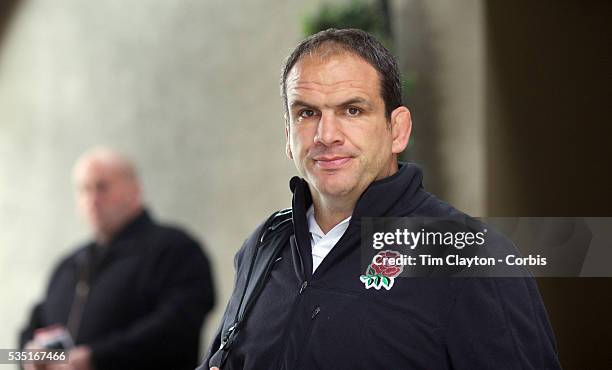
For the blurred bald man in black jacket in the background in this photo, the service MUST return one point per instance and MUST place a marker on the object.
(133, 298)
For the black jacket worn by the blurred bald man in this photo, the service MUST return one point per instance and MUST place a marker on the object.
(150, 290)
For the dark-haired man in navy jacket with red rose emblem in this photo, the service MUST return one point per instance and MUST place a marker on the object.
(345, 125)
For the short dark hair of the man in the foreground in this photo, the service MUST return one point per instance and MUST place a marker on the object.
(363, 45)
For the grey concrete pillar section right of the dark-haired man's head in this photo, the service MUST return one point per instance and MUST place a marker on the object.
(441, 49)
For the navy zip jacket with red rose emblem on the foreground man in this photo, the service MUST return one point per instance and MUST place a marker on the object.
(328, 320)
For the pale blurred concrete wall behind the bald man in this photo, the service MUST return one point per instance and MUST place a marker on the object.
(189, 89)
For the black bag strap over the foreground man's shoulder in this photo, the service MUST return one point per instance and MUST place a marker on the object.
(269, 245)
